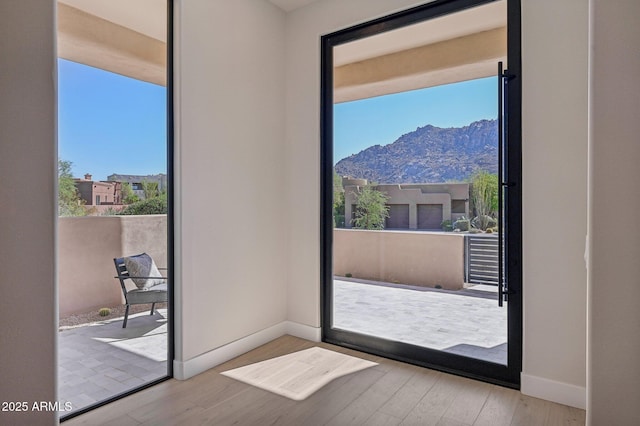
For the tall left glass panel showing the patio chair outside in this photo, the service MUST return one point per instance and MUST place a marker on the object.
(115, 227)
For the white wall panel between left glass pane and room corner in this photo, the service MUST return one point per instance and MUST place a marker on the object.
(231, 228)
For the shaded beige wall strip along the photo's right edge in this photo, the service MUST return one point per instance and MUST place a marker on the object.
(614, 266)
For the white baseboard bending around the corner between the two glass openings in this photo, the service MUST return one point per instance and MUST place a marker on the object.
(183, 370)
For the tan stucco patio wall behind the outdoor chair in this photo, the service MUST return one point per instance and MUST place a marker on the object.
(86, 249)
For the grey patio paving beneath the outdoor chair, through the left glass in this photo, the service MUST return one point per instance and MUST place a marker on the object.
(98, 361)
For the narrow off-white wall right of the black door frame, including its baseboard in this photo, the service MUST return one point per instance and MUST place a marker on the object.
(554, 110)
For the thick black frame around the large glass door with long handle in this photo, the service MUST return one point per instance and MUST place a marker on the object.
(508, 375)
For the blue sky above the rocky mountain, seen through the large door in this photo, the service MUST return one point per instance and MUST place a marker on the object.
(381, 120)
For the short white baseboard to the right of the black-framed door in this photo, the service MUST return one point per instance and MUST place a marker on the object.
(550, 390)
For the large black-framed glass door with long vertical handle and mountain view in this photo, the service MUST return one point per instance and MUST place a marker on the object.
(417, 148)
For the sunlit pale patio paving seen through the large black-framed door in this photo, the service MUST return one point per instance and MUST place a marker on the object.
(467, 322)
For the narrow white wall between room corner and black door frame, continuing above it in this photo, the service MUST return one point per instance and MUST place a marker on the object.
(304, 28)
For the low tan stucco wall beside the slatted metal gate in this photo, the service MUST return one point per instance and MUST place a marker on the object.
(409, 257)
